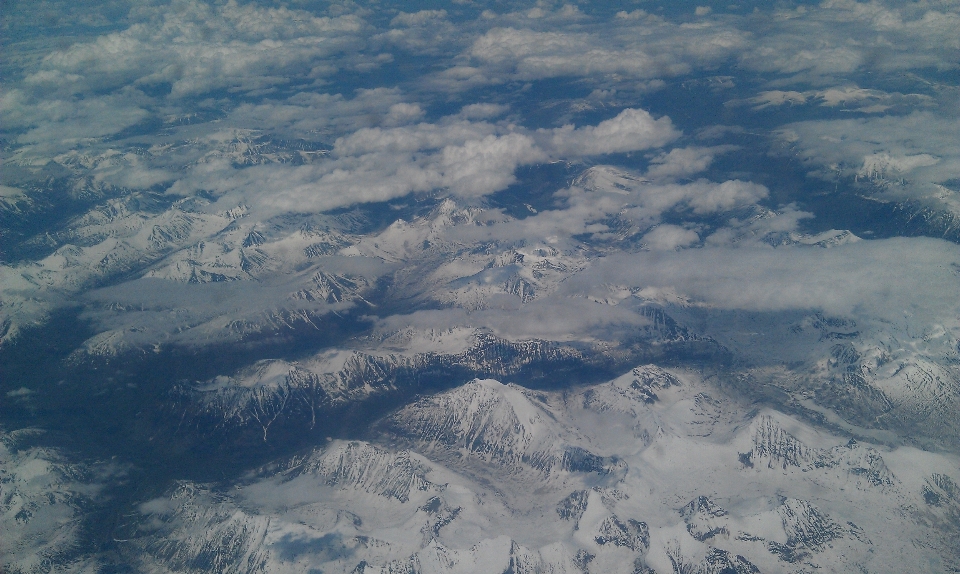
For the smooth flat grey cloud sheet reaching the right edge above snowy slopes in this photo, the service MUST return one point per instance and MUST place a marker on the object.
(884, 279)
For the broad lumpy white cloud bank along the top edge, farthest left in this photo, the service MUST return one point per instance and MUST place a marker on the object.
(198, 47)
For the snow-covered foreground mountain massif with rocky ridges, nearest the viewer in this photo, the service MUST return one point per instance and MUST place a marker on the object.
(485, 482)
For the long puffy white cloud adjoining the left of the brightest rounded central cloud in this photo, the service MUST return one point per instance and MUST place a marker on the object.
(376, 164)
